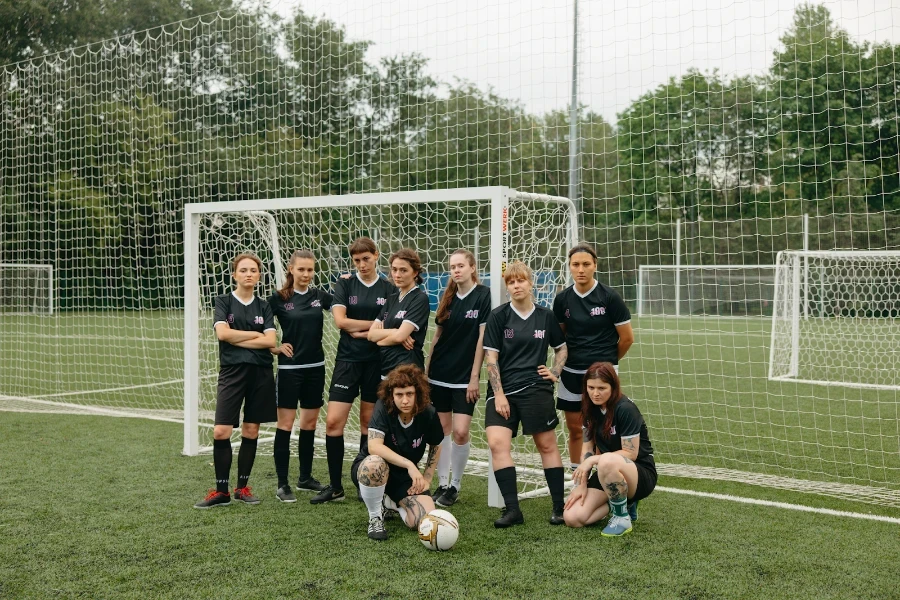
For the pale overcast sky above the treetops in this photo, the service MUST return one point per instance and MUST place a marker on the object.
(523, 48)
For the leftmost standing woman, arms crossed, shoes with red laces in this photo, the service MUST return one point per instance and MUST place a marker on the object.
(245, 328)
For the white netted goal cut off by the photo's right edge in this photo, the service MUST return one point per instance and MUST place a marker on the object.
(837, 319)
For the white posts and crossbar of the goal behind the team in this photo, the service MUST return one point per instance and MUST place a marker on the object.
(498, 197)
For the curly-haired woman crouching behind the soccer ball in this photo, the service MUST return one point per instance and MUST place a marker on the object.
(387, 472)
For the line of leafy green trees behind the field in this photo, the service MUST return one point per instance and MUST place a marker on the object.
(102, 142)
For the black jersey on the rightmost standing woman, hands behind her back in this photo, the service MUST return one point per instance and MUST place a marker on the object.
(591, 322)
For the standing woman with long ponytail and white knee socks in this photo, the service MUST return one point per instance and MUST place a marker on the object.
(454, 367)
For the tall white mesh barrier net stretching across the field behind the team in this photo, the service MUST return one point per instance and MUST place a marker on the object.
(698, 139)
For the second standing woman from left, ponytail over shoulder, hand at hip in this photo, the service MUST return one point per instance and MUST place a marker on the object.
(300, 310)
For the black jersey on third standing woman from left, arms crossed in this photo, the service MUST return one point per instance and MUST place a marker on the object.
(364, 302)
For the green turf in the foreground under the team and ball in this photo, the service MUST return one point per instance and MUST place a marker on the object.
(97, 507)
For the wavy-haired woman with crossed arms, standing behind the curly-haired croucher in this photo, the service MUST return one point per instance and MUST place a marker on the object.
(400, 331)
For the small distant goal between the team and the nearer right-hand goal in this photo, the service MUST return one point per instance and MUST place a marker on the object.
(716, 290)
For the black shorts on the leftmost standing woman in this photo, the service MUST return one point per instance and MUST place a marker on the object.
(250, 385)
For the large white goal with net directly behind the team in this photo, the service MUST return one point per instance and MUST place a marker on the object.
(498, 224)
